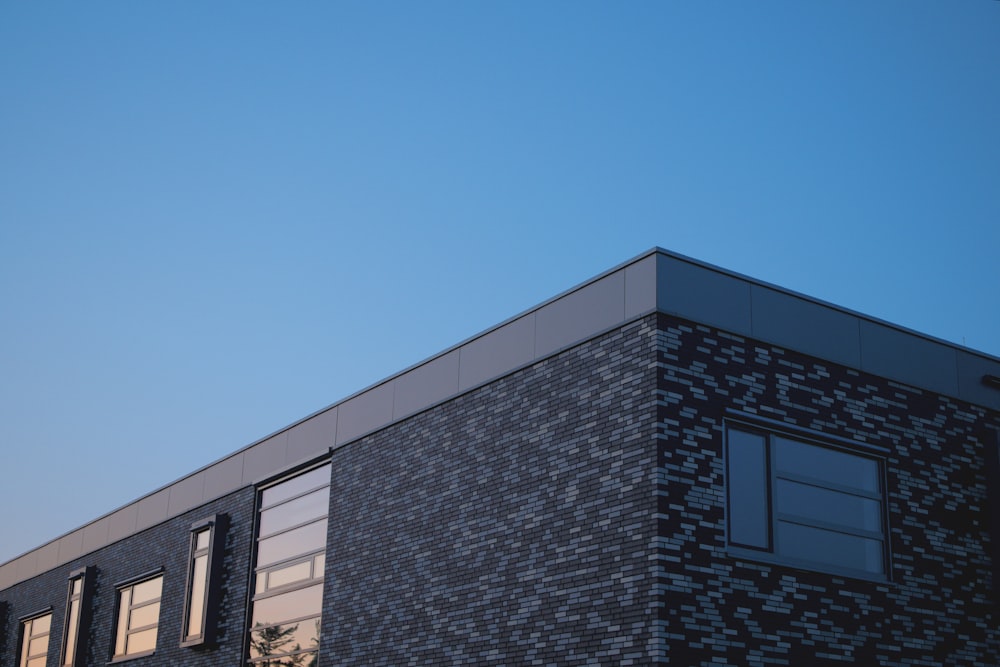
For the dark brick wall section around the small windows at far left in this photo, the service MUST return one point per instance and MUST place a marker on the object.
(166, 546)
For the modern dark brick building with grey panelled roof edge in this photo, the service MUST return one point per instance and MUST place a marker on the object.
(669, 464)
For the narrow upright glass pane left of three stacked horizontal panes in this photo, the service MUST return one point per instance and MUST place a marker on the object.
(747, 483)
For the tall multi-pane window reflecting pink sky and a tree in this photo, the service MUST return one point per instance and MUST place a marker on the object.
(291, 554)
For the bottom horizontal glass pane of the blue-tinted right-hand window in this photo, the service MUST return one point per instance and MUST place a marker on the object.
(823, 546)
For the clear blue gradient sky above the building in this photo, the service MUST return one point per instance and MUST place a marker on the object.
(219, 217)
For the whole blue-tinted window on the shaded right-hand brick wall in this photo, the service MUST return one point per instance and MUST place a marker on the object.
(804, 503)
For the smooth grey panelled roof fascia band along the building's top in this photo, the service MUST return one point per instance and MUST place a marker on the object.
(657, 280)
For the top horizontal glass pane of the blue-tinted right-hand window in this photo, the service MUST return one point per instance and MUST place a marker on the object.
(826, 464)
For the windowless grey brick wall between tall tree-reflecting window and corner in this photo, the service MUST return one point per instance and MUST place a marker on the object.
(511, 526)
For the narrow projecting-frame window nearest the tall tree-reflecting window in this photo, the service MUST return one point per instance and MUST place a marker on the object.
(204, 562)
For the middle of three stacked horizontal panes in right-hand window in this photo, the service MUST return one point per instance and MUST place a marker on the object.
(812, 502)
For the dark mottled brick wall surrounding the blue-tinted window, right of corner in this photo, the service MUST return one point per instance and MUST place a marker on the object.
(939, 606)
